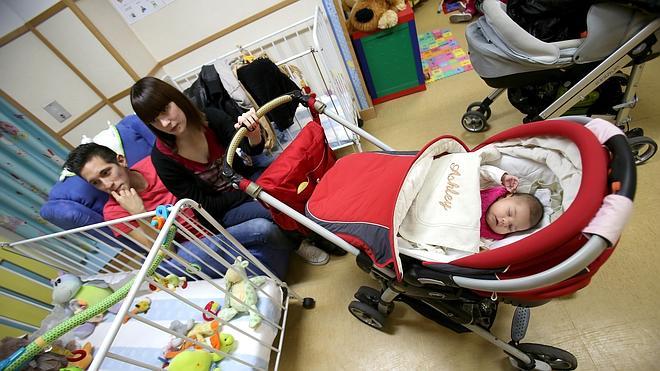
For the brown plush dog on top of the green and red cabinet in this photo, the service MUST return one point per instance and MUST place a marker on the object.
(370, 15)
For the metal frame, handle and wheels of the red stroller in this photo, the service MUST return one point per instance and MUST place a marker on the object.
(440, 296)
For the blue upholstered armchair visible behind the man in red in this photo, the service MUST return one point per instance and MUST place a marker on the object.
(75, 203)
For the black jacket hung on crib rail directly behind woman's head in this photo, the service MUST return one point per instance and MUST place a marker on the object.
(208, 91)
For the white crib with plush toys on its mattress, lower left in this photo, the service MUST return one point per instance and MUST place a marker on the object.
(93, 252)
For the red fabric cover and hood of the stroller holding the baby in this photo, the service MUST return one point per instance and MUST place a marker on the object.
(357, 200)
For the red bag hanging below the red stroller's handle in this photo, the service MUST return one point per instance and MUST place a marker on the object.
(293, 176)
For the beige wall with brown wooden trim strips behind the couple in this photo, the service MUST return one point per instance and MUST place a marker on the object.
(83, 55)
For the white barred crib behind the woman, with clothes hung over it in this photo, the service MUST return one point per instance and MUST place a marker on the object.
(309, 46)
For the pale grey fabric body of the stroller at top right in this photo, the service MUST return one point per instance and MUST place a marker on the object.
(499, 47)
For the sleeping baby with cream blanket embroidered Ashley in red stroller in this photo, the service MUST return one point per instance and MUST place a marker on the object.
(452, 215)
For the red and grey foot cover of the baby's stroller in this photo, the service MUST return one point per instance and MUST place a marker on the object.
(354, 201)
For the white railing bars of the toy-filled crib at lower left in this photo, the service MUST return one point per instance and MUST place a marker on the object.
(105, 250)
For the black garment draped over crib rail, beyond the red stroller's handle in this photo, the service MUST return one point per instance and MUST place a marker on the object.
(264, 81)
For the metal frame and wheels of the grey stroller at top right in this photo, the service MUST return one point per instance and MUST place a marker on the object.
(634, 52)
